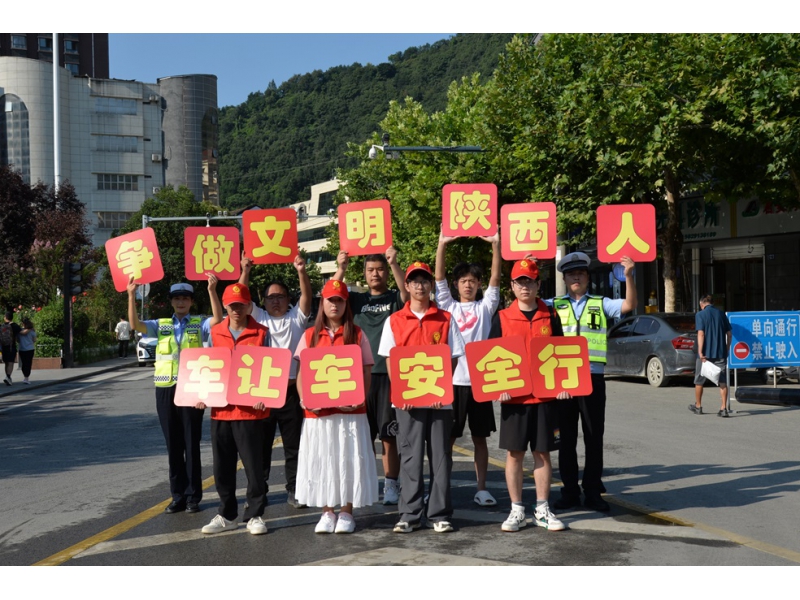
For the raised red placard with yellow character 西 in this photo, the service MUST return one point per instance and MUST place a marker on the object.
(528, 228)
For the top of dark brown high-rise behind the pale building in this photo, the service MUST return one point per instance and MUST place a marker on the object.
(79, 53)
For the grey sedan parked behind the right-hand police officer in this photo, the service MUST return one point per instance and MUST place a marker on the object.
(657, 346)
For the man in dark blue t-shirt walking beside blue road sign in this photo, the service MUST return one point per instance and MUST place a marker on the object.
(713, 344)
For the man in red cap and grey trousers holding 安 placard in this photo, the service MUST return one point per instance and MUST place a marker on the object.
(420, 323)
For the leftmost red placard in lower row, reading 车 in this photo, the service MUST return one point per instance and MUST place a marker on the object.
(203, 377)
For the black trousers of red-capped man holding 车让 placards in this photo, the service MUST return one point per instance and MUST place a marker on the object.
(230, 440)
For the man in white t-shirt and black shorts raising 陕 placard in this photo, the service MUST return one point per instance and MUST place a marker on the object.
(474, 320)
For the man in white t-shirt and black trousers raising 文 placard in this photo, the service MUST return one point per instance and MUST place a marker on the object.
(286, 326)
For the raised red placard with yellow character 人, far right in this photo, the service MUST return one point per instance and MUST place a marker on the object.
(626, 230)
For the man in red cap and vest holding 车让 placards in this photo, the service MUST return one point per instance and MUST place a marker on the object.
(238, 431)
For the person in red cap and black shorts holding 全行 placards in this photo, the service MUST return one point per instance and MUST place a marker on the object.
(528, 421)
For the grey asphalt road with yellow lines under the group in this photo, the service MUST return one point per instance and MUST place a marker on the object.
(83, 480)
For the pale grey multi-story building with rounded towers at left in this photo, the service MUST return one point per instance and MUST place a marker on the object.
(121, 141)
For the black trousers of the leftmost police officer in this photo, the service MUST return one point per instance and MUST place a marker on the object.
(182, 427)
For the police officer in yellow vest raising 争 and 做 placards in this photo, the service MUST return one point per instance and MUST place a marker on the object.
(182, 425)
